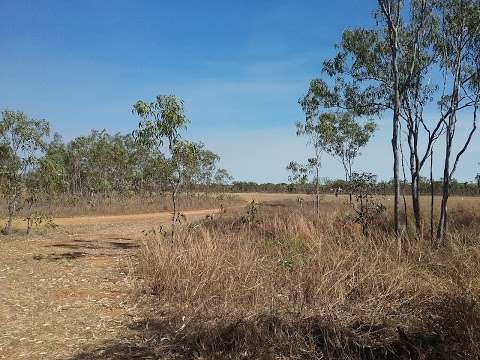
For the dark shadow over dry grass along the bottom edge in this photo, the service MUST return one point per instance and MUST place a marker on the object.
(266, 337)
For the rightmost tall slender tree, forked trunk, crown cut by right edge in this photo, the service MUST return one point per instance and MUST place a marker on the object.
(458, 48)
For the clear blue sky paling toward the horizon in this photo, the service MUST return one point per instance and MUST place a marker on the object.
(240, 66)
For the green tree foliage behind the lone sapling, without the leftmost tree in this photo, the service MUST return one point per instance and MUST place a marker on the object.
(104, 163)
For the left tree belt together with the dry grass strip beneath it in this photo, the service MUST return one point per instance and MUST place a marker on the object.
(98, 173)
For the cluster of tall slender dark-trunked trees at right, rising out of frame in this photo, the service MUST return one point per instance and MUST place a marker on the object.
(392, 68)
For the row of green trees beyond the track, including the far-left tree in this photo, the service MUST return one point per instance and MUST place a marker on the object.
(35, 166)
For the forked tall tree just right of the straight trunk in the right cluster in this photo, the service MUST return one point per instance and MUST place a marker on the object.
(418, 91)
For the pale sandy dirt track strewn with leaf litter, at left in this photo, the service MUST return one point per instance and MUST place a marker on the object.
(68, 290)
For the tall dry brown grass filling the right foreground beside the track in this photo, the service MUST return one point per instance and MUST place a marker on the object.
(288, 285)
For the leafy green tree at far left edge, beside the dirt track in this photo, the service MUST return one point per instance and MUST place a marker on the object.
(21, 142)
